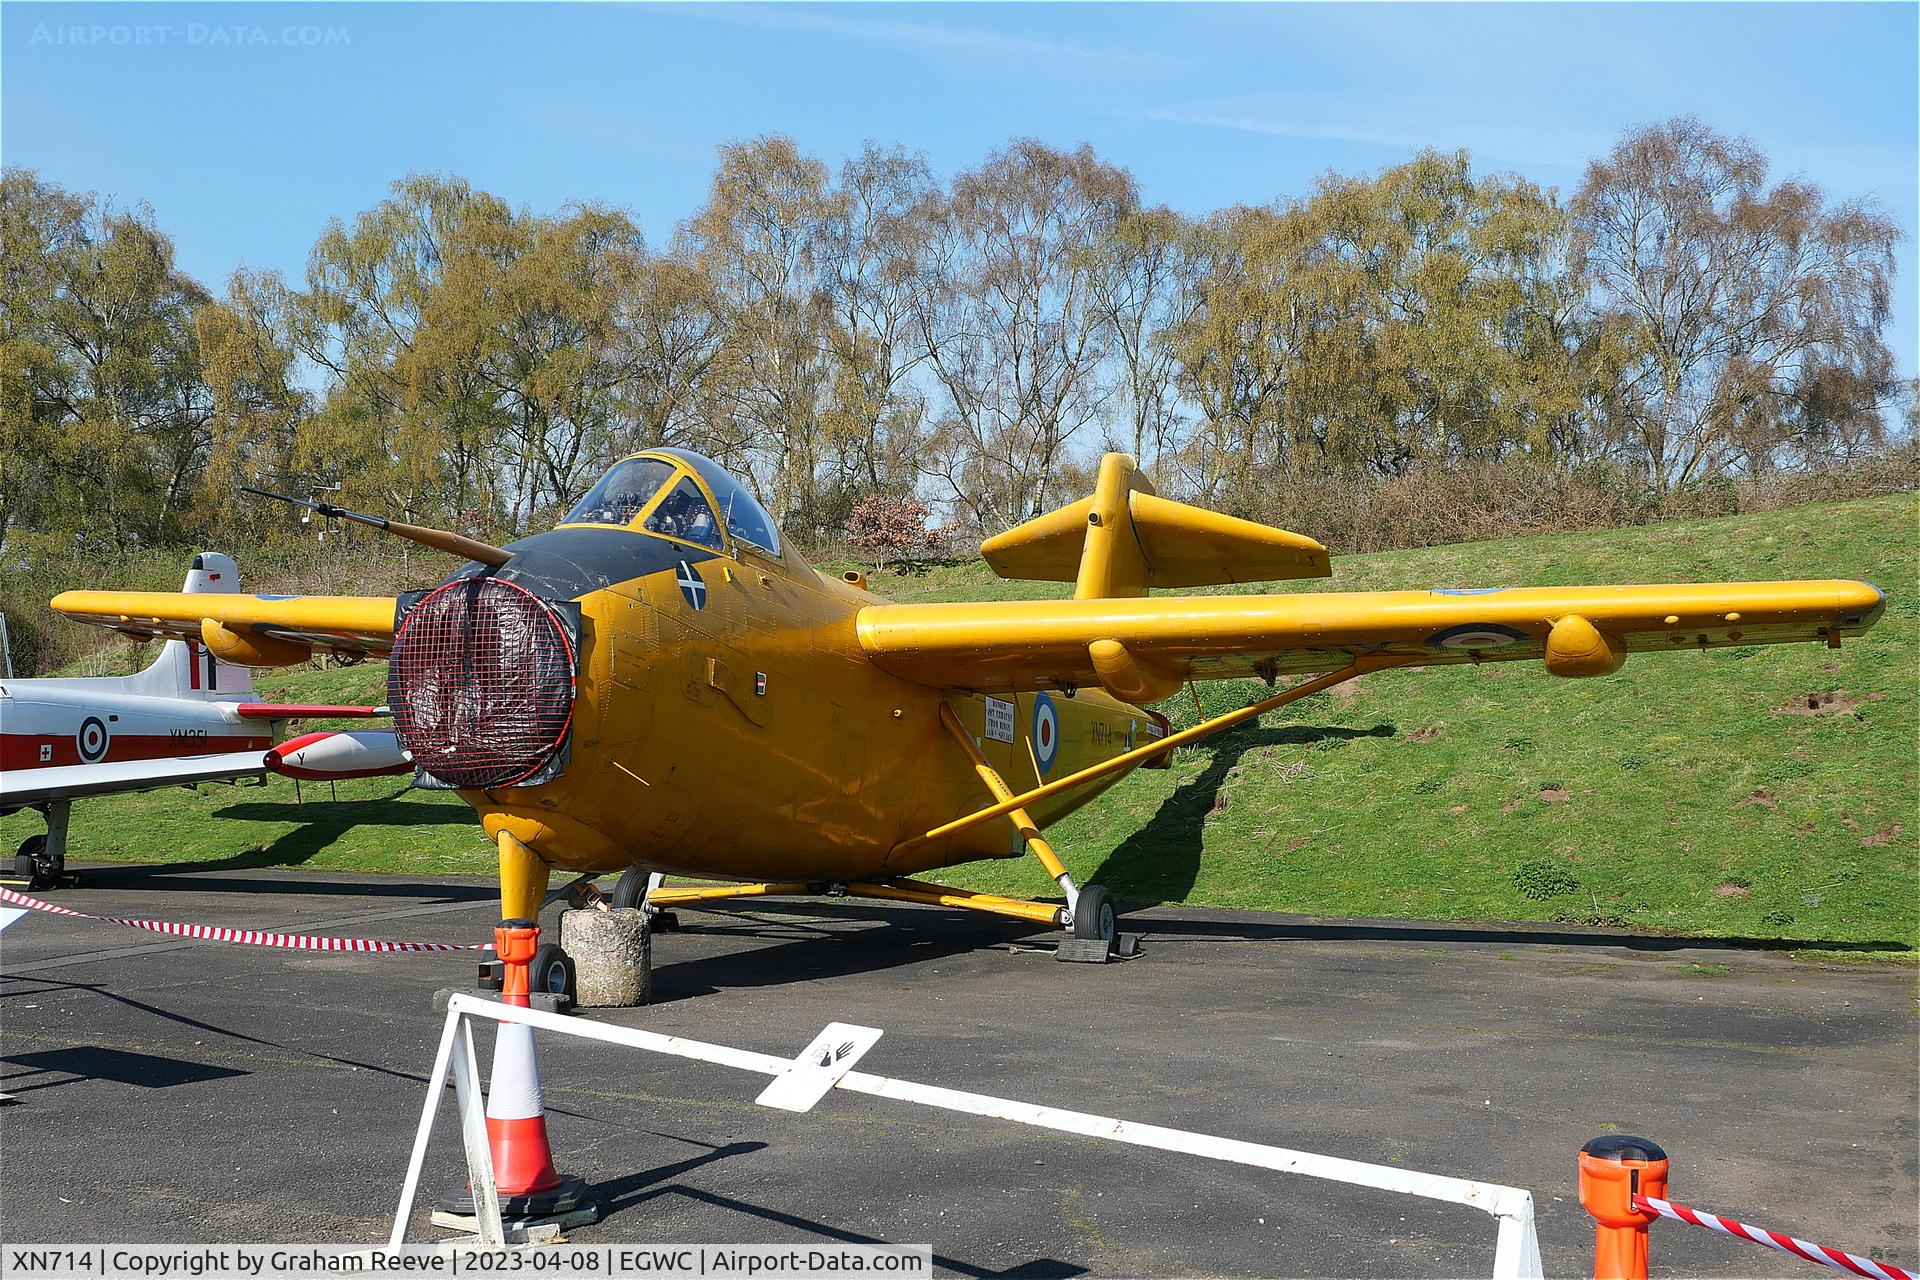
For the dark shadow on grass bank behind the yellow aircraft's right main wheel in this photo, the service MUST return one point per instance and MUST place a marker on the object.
(1161, 863)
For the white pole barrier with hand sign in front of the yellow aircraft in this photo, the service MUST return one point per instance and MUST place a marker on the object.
(1516, 1252)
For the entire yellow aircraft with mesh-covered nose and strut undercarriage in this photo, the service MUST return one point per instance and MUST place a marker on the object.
(663, 686)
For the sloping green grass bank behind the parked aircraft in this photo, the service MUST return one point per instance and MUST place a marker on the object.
(1675, 795)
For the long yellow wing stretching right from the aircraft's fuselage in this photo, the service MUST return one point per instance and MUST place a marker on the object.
(1143, 650)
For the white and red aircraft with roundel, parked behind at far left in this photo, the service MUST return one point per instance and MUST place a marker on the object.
(187, 719)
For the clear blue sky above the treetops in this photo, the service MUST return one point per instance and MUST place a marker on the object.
(249, 128)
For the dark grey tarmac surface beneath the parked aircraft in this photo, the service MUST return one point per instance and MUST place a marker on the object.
(199, 1093)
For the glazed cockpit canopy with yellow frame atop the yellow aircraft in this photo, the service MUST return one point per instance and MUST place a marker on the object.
(679, 494)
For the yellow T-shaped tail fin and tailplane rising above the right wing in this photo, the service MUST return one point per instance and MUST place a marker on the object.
(1126, 538)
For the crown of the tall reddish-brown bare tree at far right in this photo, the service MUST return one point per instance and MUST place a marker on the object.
(1735, 298)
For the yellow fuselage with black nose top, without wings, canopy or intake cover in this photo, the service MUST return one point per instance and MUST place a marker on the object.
(729, 724)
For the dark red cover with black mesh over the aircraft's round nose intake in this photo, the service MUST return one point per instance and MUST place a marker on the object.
(481, 684)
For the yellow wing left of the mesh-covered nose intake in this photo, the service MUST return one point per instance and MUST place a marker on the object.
(252, 630)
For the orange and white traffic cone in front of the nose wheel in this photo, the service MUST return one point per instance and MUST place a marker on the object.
(516, 1112)
